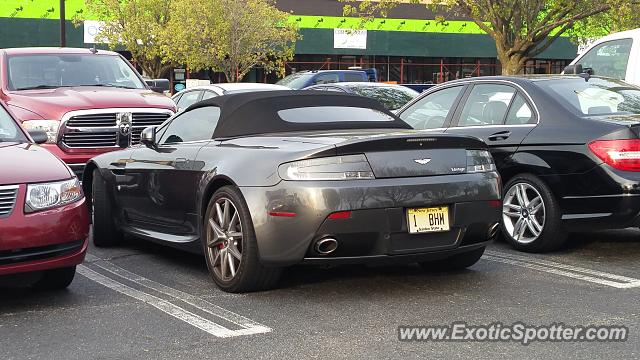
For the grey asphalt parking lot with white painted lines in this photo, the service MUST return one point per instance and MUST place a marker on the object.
(144, 301)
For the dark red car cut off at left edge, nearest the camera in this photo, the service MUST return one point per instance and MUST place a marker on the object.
(44, 222)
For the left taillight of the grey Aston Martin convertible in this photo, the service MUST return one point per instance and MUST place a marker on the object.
(347, 167)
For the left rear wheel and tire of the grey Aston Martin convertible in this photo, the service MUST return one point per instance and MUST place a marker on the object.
(234, 239)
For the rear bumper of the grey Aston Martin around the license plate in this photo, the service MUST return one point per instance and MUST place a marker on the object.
(377, 228)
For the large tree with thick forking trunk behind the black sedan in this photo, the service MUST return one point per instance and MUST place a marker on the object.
(522, 29)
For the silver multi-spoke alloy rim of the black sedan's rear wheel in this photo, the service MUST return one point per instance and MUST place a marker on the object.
(523, 213)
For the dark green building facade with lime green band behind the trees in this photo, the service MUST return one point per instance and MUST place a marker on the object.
(408, 46)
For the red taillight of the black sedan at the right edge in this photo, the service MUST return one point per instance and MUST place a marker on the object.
(619, 154)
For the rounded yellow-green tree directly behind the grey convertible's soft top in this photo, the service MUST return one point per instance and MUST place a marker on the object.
(230, 36)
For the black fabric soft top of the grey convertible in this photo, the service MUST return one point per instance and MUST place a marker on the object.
(255, 113)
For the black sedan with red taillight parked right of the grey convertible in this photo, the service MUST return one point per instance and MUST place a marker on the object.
(567, 148)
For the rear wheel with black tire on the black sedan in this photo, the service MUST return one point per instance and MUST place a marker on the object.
(538, 226)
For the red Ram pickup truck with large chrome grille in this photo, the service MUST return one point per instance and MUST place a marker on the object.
(87, 101)
